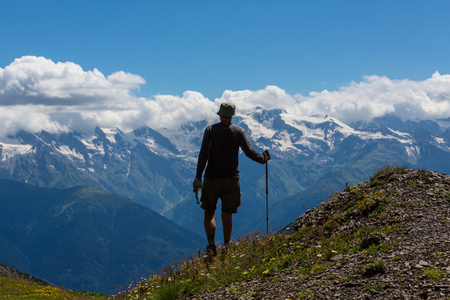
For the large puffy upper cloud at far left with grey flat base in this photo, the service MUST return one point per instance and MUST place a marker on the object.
(37, 80)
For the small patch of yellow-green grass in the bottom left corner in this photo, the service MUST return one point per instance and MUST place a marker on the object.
(11, 288)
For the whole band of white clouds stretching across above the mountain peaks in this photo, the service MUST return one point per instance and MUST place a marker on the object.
(38, 94)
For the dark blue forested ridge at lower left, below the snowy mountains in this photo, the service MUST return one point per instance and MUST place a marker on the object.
(85, 238)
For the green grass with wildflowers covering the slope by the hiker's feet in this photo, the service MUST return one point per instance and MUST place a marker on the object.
(311, 250)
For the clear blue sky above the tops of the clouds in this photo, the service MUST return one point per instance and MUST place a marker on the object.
(213, 46)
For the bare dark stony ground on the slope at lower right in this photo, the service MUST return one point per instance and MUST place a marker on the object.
(417, 266)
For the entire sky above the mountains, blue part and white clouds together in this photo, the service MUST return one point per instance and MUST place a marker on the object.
(79, 64)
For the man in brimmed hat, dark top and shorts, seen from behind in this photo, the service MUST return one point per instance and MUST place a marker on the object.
(220, 155)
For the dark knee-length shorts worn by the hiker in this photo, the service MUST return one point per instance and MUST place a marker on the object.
(227, 189)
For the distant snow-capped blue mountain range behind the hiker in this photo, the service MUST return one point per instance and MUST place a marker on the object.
(156, 168)
